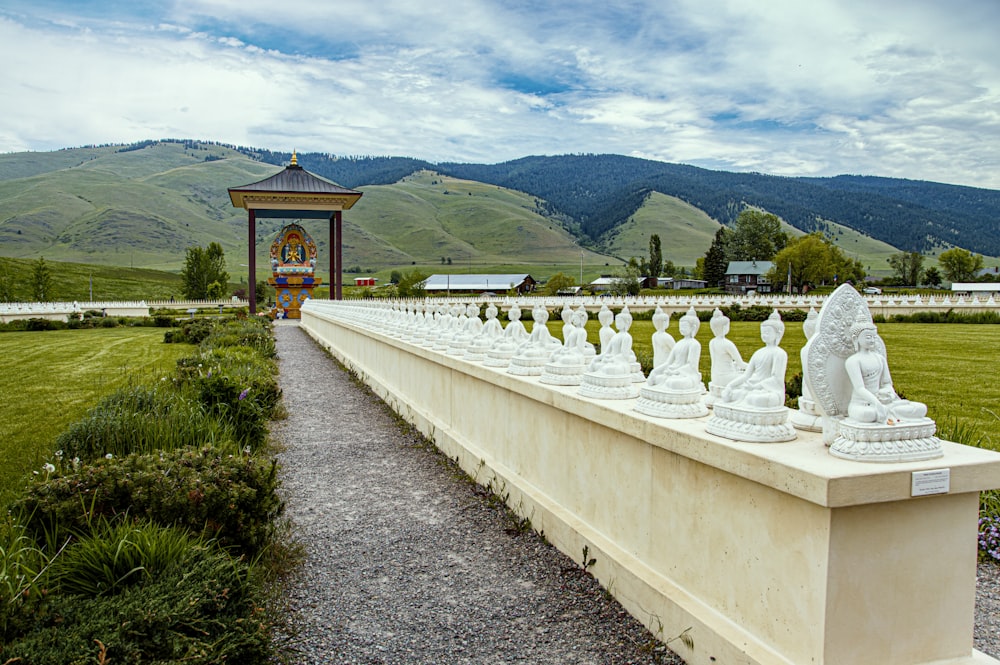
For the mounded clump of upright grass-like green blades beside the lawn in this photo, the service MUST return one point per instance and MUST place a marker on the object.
(141, 419)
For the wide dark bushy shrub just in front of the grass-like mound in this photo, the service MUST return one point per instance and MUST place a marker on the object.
(230, 497)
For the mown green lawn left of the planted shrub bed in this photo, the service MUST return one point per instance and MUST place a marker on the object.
(55, 376)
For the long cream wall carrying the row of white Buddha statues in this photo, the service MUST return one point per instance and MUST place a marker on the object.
(769, 553)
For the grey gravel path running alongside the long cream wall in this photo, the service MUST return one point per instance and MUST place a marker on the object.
(408, 562)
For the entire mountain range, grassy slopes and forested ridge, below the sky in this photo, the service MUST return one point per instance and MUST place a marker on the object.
(154, 198)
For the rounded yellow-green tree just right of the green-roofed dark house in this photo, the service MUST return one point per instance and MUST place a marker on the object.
(813, 259)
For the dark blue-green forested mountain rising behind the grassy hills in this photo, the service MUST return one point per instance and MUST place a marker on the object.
(601, 192)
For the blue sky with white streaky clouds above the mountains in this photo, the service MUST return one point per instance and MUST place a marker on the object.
(902, 88)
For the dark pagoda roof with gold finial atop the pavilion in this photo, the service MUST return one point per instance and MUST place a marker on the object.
(293, 192)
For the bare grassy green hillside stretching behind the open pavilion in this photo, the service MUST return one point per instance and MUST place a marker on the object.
(143, 205)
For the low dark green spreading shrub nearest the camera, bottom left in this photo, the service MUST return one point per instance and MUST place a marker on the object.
(207, 609)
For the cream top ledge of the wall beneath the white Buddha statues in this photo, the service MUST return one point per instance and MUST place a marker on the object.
(802, 467)
